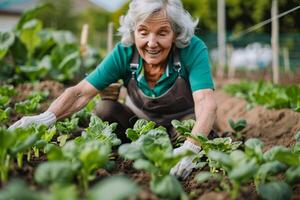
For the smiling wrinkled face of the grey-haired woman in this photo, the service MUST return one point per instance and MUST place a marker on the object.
(153, 39)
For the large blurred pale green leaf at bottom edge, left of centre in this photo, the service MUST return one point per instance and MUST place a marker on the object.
(122, 188)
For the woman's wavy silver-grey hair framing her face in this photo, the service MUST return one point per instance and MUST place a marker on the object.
(181, 21)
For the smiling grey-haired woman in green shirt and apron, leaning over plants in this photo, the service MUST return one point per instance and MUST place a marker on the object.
(164, 67)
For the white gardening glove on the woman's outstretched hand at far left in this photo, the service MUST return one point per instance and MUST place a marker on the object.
(47, 118)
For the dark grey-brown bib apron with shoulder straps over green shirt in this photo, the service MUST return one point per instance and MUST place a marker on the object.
(175, 103)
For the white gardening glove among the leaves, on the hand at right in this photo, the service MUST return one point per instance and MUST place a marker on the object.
(185, 166)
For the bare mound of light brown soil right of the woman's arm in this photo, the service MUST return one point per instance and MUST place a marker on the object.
(273, 127)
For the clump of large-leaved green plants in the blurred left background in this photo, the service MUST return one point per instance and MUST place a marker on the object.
(31, 52)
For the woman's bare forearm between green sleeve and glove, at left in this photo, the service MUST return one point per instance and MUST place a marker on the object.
(73, 99)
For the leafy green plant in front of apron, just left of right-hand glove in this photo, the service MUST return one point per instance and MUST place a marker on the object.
(153, 153)
